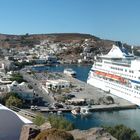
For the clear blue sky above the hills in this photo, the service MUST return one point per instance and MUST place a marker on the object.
(107, 19)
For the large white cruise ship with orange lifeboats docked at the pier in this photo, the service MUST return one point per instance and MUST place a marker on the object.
(118, 73)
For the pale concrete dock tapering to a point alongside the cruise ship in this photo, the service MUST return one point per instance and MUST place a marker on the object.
(86, 91)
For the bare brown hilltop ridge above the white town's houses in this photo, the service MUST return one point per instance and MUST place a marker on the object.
(30, 40)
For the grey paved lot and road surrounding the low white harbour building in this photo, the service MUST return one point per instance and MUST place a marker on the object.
(80, 90)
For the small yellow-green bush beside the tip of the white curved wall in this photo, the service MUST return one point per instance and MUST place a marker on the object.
(39, 119)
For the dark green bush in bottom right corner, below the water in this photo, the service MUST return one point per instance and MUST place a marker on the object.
(122, 132)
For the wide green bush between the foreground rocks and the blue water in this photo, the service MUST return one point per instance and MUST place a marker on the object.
(60, 122)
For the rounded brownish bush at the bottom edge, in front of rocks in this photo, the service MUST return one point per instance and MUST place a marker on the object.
(54, 134)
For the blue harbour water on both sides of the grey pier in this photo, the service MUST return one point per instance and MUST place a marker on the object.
(130, 118)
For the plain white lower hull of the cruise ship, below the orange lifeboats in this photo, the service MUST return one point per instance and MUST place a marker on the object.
(116, 89)
